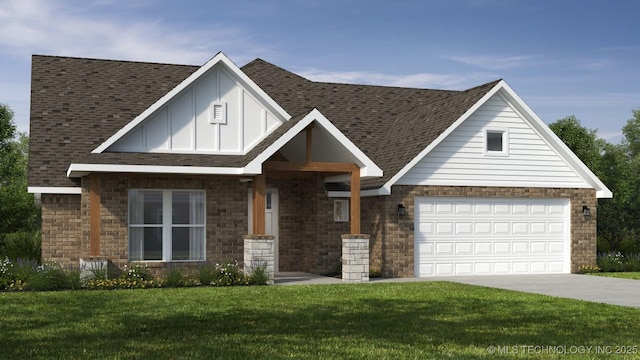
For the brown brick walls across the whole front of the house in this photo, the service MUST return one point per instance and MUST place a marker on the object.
(309, 239)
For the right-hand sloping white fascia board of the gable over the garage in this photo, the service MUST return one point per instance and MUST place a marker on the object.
(602, 191)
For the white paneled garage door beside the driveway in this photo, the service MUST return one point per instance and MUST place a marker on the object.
(484, 236)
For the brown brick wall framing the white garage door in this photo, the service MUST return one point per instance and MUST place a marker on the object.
(392, 237)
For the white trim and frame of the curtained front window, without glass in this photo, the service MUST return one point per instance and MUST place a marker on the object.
(167, 225)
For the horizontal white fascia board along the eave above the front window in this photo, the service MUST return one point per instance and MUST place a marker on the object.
(78, 170)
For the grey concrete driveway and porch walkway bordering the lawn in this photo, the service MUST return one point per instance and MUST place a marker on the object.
(624, 292)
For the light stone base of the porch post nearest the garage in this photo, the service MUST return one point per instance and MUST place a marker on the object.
(355, 258)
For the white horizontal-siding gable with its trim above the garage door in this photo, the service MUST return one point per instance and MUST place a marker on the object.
(536, 156)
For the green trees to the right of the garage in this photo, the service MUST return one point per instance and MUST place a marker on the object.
(618, 167)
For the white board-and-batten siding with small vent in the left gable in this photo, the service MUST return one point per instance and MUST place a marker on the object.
(187, 123)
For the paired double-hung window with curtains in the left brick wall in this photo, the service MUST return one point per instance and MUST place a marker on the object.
(166, 225)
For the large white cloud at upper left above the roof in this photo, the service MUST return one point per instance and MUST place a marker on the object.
(76, 29)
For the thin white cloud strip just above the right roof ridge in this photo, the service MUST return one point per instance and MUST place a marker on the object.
(421, 80)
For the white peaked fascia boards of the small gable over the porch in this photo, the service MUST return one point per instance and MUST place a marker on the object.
(367, 167)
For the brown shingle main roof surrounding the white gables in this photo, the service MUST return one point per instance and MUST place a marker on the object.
(76, 104)
